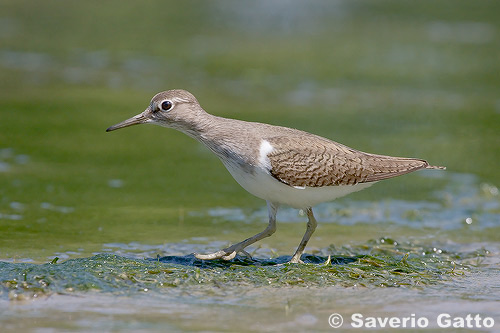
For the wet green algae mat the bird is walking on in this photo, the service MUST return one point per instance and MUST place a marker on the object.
(378, 263)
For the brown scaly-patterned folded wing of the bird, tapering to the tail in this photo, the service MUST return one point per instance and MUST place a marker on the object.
(307, 161)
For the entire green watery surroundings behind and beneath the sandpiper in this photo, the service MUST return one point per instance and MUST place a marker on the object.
(124, 211)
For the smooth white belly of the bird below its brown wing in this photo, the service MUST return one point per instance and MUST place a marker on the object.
(261, 184)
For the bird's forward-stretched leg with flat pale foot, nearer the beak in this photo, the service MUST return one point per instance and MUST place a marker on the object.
(230, 252)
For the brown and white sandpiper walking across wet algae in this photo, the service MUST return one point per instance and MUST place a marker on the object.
(283, 166)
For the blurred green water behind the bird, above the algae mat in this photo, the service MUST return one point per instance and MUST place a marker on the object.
(404, 78)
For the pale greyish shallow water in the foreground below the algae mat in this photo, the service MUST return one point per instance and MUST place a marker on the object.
(259, 308)
